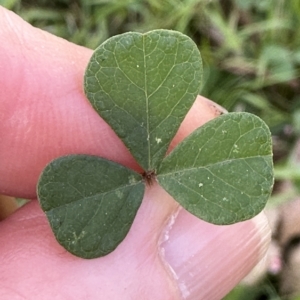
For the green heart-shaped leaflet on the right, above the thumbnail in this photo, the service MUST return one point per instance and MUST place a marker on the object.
(223, 172)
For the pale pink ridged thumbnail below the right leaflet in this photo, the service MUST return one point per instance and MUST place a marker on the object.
(207, 260)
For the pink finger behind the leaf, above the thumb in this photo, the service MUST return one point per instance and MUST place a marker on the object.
(44, 113)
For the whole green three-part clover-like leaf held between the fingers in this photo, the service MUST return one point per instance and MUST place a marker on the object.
(143, 86)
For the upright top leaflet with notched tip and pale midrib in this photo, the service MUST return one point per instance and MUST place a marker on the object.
(143, 85)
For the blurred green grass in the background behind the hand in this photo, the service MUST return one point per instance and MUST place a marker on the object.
(250, 50)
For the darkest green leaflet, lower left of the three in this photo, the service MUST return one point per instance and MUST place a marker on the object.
(90, 202)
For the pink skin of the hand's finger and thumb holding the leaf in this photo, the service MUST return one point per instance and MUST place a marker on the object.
(168, 253)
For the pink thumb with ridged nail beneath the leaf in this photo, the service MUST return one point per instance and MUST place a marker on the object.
(182, 258)
